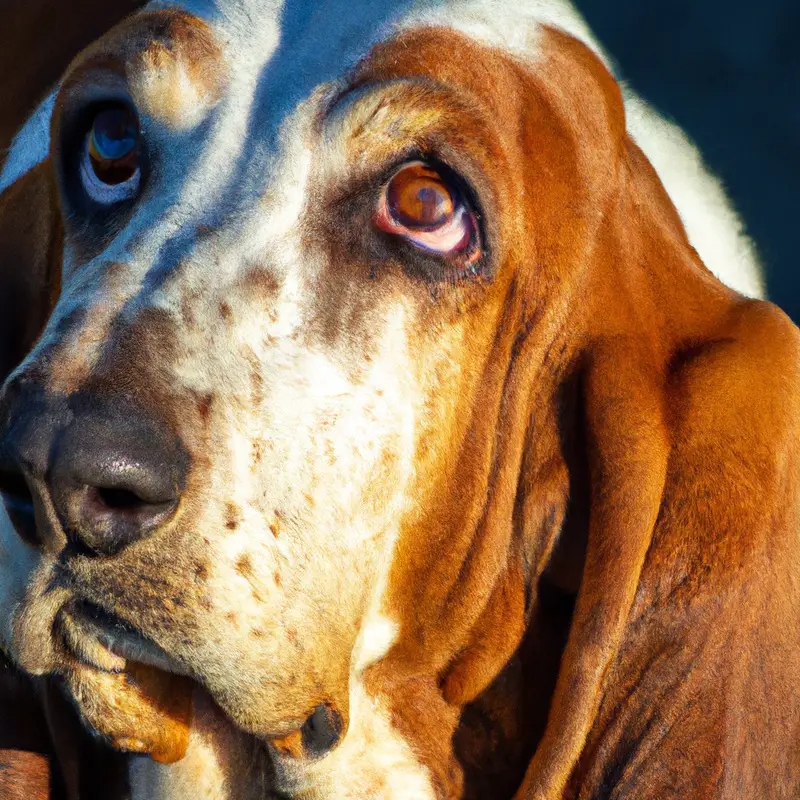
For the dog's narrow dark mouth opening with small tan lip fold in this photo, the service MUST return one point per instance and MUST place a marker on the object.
(100, 639)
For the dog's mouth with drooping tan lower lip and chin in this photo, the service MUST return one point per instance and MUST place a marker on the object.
(128, 689)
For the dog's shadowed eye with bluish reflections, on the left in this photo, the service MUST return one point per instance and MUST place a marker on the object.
(110, 171)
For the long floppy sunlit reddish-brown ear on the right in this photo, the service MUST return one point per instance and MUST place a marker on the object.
(679, 377)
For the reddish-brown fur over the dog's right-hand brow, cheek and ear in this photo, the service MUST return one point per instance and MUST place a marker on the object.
(598, 595)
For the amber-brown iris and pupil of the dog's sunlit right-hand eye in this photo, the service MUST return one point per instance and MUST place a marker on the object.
(417, 197)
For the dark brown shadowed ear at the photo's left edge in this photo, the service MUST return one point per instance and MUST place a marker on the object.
(30, 256)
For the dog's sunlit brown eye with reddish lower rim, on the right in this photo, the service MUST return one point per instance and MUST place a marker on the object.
(424, 206)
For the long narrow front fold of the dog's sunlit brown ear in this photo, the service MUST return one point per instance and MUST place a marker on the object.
(628, 449)
